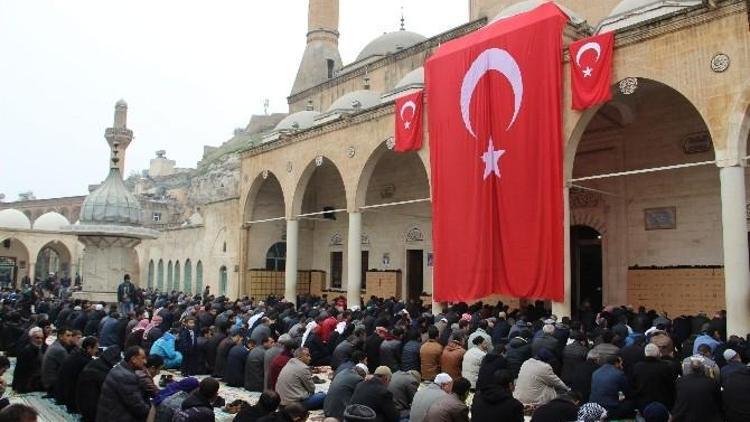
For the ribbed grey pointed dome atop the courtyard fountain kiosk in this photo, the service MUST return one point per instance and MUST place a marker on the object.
(111, 203)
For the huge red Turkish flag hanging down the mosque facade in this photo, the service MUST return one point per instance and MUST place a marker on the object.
(496, 144)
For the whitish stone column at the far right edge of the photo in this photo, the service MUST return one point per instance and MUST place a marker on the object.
(734, 239)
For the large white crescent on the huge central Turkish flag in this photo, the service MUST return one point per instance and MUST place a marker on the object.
(498, 60)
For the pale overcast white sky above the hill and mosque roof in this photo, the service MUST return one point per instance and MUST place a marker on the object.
(191, 72)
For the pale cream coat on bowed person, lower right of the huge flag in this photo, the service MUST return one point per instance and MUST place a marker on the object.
(537, 384)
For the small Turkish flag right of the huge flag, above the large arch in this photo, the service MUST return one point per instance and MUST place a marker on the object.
(591, 70)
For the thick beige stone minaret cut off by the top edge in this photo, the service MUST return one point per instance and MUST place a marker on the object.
(321, 58)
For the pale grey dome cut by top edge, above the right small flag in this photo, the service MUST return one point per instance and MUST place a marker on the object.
(631, 12)
